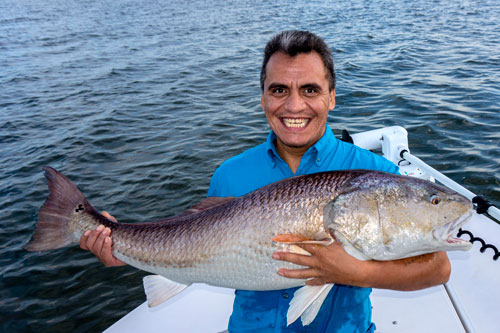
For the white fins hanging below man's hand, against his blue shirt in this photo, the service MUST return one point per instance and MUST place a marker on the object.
(306, 303)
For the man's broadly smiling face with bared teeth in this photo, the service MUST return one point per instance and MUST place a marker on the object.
(296, 98)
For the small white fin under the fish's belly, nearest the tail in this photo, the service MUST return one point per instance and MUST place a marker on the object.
(159, 289)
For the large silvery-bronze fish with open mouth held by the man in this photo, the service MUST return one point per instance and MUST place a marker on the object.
(229, 242)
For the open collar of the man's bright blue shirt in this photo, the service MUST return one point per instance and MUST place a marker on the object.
(321, 148)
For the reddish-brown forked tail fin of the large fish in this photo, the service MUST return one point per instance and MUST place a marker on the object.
(53, 227)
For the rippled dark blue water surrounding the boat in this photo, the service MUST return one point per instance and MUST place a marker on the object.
(139, 101)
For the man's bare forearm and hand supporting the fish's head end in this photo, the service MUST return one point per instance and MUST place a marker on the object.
(331, 264)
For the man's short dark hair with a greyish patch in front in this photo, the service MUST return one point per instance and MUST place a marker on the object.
(293, 42)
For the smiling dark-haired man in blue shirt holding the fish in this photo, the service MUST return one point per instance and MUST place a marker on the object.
(298, 90)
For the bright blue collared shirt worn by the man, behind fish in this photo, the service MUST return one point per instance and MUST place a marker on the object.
(347, 308)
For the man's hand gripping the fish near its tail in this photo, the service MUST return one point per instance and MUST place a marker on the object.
(99, 243)
